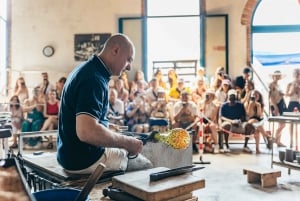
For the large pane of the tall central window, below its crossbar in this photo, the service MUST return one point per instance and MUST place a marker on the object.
(173, 39)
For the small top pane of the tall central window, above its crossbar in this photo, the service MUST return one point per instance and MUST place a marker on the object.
(172, 7)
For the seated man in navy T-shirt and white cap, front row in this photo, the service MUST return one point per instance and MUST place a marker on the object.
(233, 119)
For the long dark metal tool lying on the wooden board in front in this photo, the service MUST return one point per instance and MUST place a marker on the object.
(173, 172)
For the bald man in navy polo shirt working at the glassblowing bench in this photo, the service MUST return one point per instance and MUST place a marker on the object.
(84, 139)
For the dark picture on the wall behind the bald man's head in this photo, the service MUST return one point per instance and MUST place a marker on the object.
(86, 45)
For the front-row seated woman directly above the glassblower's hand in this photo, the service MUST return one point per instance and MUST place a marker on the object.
(138, 112)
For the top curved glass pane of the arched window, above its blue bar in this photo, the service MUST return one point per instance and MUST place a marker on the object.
(277, 12)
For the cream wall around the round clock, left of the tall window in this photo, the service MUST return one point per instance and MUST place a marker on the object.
(37, 23)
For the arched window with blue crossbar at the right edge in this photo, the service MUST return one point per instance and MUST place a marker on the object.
(276, 35)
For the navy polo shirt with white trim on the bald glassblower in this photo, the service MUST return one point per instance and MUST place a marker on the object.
(85, 92)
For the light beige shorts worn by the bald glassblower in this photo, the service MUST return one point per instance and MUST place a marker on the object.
(112, 158)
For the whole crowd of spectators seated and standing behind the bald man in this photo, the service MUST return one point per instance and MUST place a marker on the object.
(162, 105)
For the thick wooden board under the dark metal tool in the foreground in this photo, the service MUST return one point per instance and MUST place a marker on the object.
(138, 184)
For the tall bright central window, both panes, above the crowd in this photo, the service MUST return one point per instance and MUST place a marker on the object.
(173, 32)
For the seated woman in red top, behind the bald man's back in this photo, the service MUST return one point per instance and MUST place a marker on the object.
(51, 108)
